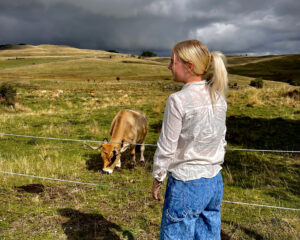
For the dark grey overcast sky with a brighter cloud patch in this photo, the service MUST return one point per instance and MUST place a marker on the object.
(230, 26)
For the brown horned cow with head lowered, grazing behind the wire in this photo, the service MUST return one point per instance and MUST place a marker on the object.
(128, 126)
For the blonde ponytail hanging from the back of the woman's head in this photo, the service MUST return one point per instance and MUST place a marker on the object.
(219, 81)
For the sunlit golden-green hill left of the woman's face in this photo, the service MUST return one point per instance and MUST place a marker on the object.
(45, 62)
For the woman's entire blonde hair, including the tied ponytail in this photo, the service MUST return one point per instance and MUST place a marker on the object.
(204, 62)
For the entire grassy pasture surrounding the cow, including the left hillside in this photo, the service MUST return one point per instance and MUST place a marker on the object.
(71, 93)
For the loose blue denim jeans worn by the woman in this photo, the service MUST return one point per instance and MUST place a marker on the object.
(192, 209)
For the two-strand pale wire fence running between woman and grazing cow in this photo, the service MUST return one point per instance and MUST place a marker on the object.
(134, 189)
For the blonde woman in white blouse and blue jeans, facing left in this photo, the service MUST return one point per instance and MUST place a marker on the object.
(191, 145)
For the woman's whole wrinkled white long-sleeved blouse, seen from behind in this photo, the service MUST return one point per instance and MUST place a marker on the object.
(192, 140)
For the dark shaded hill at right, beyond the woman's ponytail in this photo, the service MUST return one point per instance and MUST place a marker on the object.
(283, 68)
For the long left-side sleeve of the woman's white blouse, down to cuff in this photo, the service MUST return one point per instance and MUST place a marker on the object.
(168, 139)
